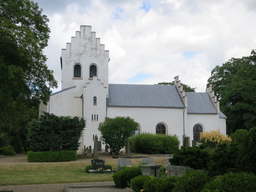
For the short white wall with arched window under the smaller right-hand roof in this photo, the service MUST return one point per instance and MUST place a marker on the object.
(208, 122)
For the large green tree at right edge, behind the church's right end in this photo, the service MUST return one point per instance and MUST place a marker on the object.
(235, 84)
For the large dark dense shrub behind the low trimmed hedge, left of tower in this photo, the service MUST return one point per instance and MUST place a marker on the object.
(53, 133)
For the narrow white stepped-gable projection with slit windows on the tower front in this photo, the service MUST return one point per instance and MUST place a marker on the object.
(94, 88)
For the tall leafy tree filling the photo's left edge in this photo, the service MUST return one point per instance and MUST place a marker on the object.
(24, 76)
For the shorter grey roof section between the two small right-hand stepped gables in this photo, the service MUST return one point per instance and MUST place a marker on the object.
(200, 103)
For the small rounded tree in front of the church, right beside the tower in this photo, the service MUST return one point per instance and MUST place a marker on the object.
(115, 131)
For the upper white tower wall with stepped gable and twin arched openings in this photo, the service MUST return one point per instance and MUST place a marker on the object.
(85, 49)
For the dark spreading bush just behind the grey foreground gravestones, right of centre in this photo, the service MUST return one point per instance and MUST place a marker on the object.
(192, 157)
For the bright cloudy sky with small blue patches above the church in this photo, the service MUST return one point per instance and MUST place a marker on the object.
(152, 41)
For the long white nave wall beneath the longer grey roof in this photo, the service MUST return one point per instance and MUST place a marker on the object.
(148, 118)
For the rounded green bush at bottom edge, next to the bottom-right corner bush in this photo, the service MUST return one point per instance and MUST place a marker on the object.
(192, 181)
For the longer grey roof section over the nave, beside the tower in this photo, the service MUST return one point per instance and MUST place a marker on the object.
(133, 95)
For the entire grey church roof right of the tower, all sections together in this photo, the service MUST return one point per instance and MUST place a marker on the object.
(167, 96)
